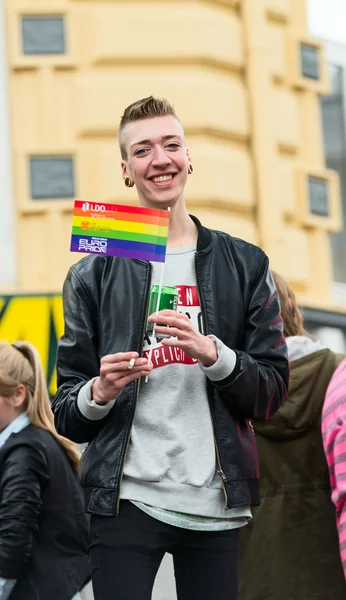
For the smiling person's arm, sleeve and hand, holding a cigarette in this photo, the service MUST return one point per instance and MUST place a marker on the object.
(87, 385)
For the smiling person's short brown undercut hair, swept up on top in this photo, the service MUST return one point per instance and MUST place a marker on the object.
(146, 108)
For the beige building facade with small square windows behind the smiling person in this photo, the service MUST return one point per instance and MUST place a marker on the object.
(245, 77)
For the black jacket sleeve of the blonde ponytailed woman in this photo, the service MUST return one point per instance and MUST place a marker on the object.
(23, 476)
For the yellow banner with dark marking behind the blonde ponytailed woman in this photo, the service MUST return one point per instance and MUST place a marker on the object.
(37, 319)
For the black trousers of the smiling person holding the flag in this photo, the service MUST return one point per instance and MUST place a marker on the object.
(126, 552)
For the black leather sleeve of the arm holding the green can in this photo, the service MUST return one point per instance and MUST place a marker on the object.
(258, 385)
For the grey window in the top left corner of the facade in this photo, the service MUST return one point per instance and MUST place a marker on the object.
(43, 35)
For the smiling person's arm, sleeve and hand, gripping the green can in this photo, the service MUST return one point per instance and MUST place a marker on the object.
(254, 380)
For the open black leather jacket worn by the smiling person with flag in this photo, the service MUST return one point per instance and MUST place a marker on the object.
(105, 304)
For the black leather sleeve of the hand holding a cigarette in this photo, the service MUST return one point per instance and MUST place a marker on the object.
(77, 361)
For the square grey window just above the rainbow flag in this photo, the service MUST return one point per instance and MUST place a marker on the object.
(51, 177)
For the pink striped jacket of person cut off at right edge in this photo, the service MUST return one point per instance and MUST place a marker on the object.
(334, 442)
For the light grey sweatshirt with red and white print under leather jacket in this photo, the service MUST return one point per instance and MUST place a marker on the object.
(171, 460)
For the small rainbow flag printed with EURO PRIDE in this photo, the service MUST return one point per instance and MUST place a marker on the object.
(117, 230)
